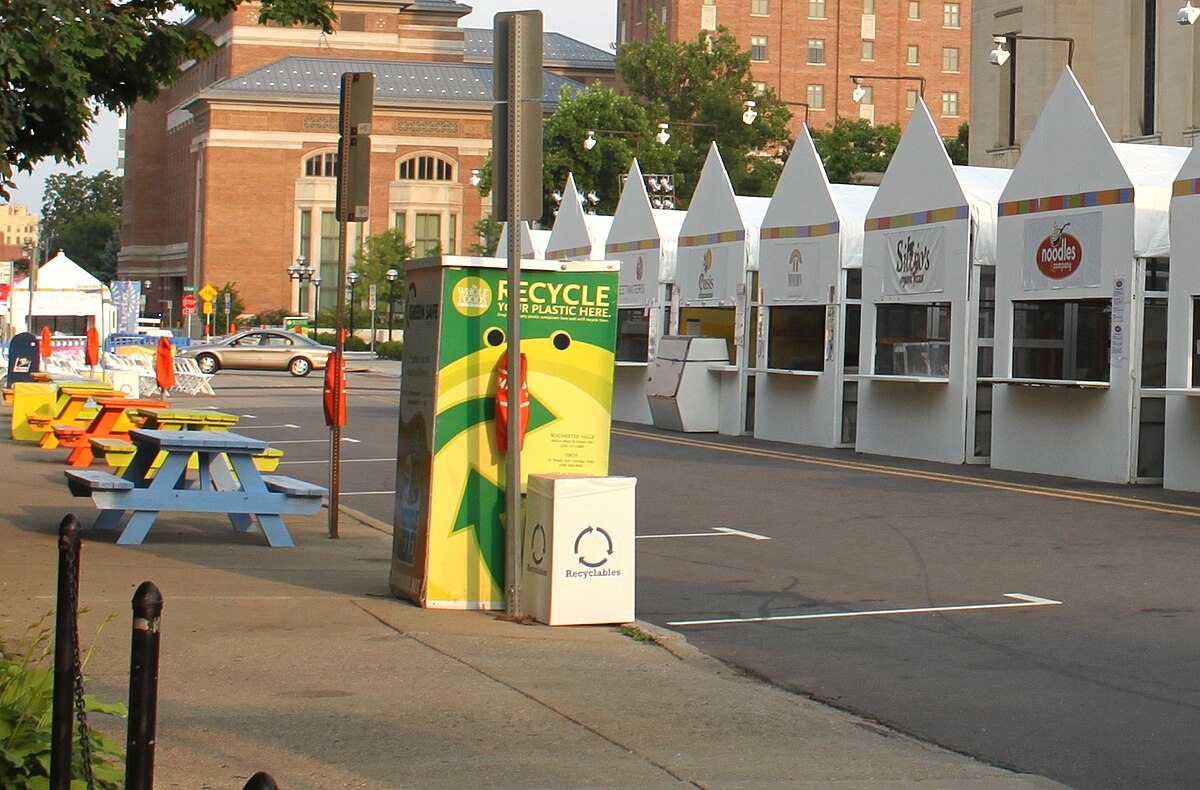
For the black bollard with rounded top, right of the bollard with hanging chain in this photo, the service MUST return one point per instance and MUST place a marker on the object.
(143, 689)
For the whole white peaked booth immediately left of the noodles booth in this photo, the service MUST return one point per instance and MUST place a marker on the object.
(928, 273)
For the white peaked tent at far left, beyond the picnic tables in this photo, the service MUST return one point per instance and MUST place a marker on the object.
(67, 298)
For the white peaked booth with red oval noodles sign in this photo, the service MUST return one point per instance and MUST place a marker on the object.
(1082, 301)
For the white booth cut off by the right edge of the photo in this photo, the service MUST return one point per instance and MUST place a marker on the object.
(1181, 460)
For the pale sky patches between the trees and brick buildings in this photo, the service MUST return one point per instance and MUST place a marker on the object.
(593, 22)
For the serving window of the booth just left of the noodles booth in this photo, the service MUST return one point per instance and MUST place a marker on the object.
(913, 339)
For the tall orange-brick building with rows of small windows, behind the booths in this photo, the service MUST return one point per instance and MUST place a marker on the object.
(807, 51)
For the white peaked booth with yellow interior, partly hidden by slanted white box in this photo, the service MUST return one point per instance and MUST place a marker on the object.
(718, 248)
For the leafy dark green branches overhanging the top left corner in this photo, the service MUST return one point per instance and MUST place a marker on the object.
(62, 61)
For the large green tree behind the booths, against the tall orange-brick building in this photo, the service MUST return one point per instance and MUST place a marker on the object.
(700, 88)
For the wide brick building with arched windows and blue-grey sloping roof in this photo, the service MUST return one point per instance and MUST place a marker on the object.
(230, 176)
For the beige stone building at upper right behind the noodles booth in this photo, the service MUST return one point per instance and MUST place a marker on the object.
(1135, 61)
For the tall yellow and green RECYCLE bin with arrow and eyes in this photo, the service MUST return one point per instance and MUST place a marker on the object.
(449, 543)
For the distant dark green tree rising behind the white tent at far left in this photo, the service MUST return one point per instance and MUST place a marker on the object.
(80, 216)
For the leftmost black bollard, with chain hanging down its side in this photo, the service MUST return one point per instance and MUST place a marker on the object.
(65, 631)
